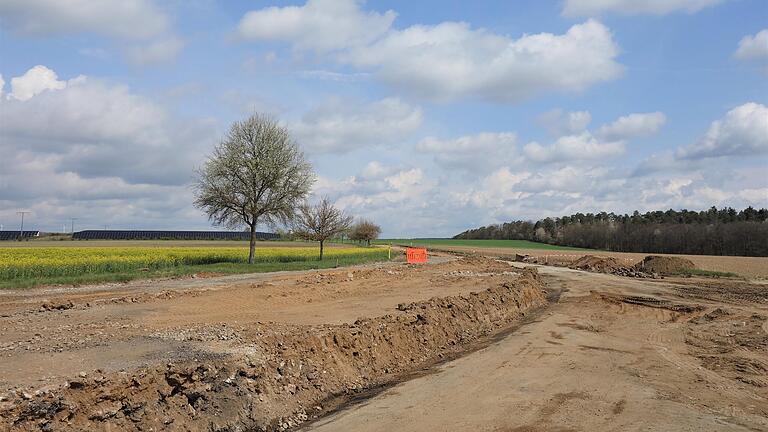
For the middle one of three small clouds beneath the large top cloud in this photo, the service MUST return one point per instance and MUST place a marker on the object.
(479, 152)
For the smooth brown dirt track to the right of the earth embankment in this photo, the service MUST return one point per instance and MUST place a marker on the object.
(594, 362)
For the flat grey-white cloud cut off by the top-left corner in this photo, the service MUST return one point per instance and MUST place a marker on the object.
(124, 19)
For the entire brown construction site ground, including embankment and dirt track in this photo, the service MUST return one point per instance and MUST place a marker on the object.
(591, 351)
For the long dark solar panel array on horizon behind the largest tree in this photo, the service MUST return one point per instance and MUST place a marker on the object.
(169, 235)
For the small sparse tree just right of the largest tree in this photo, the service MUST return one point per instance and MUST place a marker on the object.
(320, 222)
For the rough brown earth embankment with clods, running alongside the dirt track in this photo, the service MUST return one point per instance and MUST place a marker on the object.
(282, 375)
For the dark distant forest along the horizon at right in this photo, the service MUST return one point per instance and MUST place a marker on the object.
(710, 232)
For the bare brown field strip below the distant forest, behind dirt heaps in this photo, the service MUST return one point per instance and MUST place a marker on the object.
(750, 267)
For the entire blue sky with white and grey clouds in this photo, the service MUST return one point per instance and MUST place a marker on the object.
(429, 117)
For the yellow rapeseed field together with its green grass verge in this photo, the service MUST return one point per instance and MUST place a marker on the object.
(92, 262)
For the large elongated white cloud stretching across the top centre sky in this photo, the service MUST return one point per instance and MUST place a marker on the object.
(448, 60)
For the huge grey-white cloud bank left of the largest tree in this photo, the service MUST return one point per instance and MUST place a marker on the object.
(94, 150)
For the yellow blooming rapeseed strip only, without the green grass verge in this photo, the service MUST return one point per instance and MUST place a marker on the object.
(17, 263)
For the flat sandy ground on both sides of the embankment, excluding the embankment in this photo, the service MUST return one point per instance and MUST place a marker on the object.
(613, 353)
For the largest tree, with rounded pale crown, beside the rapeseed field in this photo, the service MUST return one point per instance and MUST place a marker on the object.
(257, 174)
